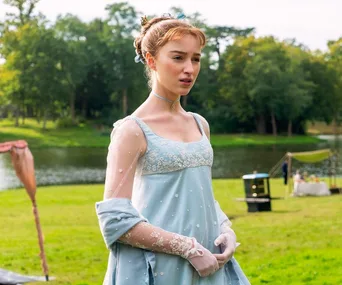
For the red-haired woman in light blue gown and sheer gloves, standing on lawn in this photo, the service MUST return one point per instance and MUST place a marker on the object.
(159, 217)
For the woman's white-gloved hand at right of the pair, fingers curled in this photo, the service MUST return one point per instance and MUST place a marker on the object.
(228, 244)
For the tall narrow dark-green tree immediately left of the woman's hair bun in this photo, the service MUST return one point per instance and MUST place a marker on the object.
(125, 80)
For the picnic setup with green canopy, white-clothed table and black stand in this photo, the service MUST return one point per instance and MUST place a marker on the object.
(257, 185)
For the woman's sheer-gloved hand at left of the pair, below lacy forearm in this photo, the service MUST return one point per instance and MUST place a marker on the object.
(201, 259)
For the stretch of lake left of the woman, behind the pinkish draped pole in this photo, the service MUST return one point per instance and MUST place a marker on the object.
(59, 166)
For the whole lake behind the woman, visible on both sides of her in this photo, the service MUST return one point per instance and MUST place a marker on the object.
(87, 165)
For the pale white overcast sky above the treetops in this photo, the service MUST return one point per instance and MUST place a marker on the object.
(311, 22)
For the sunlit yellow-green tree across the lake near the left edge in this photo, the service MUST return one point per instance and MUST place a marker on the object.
(31, 58)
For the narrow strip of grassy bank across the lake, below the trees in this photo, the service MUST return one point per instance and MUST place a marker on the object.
(87, 136)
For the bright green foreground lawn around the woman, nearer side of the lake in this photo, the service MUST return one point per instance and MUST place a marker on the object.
(299, 242)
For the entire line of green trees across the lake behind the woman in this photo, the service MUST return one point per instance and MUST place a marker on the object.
(73, 71)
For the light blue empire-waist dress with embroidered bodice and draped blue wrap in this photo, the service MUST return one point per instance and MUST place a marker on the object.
(172, 190)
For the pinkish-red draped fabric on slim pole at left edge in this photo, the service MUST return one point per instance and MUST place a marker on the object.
(23, 163)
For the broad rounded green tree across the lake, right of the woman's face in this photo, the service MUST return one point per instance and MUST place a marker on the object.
(260, 80)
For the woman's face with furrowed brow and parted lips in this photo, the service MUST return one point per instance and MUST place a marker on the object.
(177, 65)
